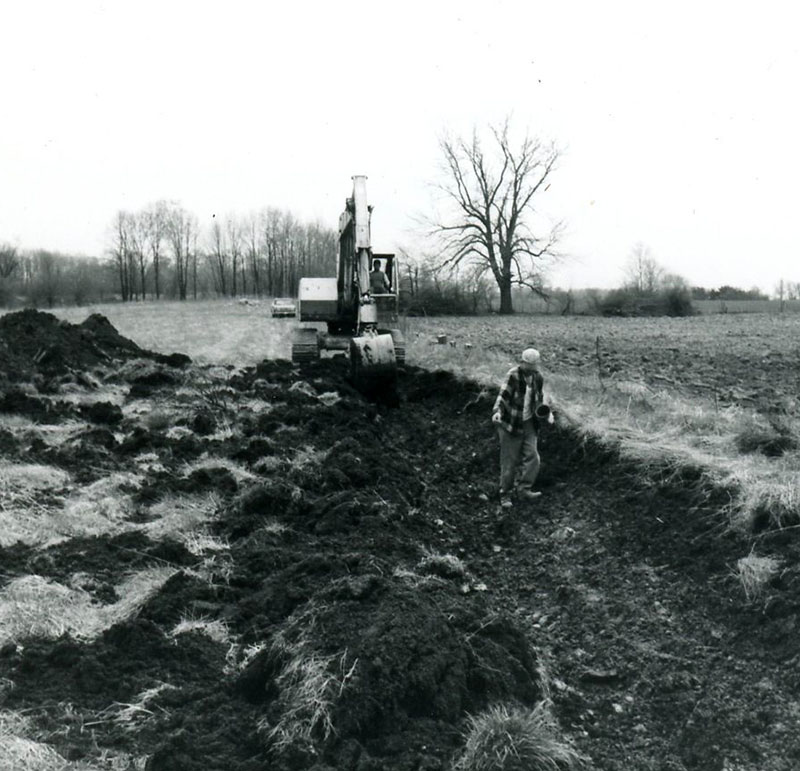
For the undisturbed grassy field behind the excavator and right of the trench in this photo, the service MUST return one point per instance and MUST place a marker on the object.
(668, 392)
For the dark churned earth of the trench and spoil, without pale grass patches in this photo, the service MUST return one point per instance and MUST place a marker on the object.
(368, 547)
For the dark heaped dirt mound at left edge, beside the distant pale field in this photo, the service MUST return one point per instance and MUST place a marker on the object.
(33, 342)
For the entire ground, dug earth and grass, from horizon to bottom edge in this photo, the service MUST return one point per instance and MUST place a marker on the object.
(232, 563)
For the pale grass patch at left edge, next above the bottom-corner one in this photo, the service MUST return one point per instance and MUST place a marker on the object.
(32, 606)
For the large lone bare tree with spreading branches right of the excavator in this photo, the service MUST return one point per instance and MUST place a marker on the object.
(492, 220)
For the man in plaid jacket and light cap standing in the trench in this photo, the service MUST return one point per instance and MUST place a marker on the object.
(517, 427)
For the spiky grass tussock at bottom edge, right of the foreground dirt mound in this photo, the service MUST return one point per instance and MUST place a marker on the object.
(515, 738)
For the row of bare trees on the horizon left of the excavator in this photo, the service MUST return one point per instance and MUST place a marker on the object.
(163, 252)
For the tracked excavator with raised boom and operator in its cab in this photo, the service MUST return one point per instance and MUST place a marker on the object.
(359, 306)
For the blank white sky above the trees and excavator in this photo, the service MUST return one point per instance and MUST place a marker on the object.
(679, 121)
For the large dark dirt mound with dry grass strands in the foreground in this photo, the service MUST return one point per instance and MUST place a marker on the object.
(408, 659)
